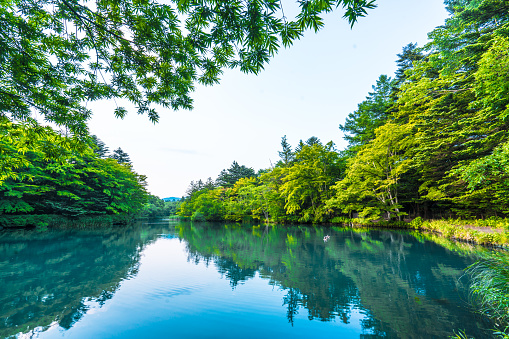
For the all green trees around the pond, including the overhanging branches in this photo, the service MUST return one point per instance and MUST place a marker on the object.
(429, 142)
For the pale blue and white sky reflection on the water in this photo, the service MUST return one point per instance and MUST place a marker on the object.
(172, 297)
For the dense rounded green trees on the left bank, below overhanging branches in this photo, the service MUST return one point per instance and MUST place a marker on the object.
(54, 177)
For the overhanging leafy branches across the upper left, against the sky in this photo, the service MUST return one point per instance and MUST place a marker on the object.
(55, 55)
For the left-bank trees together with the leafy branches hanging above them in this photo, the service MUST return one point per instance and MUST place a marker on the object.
(58, 56)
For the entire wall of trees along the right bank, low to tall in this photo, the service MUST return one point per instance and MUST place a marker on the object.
(430, 142)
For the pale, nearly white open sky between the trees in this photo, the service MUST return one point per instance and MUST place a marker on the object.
(307, 90)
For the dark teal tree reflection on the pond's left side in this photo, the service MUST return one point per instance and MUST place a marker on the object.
(51, 277)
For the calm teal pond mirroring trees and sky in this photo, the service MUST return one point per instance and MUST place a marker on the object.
(204, 280)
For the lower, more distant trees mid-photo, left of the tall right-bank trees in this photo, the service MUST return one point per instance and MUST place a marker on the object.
(295, 190)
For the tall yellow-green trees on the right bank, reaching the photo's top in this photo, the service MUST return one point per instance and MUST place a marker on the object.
(451, 101)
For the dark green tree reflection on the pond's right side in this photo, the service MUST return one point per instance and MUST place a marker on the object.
(401, 287)
